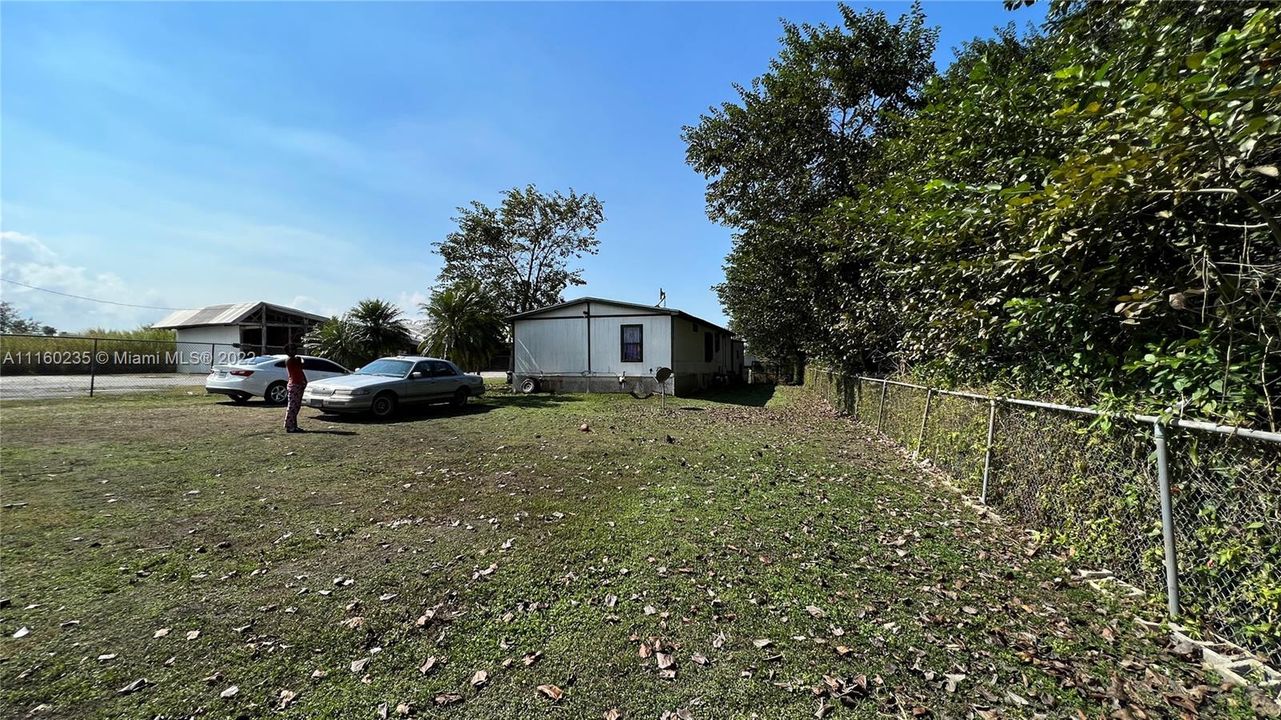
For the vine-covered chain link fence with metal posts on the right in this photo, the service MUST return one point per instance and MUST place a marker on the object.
(1092, 486)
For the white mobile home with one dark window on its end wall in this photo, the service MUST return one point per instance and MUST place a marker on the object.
(594, 345)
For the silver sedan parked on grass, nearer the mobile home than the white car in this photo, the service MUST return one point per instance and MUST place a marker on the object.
(385, 385)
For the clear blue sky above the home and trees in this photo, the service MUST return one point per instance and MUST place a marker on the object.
(309, 154)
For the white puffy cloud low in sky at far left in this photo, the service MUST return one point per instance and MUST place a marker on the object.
(29, 261)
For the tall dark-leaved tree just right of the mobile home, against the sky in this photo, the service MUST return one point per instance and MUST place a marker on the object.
(803, 136)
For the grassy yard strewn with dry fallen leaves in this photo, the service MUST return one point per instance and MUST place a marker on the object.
(742, 557)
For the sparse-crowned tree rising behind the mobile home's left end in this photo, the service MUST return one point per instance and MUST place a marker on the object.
(522, 252)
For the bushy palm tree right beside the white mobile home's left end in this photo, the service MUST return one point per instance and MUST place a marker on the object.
(466, 326)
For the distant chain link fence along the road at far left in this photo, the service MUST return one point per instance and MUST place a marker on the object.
(51, 367)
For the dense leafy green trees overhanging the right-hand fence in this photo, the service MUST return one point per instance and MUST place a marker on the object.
(1089, 212)
